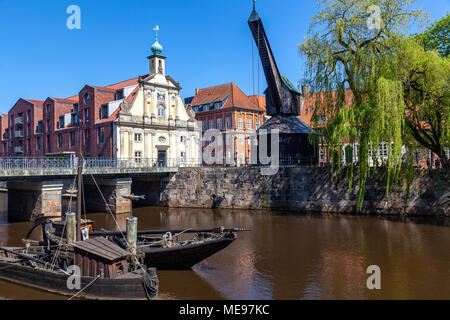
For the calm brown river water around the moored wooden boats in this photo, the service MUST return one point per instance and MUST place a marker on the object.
(288, 256)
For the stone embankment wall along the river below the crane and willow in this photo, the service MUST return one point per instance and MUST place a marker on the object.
(305, 189)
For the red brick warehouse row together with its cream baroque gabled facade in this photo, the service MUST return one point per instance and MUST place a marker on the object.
(140, 118)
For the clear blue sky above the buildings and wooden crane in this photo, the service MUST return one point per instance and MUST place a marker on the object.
(207, 42)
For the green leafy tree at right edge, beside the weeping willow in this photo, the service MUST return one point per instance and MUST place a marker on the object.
(425, 82)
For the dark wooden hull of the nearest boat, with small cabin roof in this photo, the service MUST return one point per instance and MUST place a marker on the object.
(129, 288)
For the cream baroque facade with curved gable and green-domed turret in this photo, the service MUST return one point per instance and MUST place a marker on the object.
(153, 126)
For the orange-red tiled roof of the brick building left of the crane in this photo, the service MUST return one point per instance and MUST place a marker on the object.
(230, 93)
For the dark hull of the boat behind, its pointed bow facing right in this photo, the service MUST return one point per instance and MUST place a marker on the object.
(184, 257)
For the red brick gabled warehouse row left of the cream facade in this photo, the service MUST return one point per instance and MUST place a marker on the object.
(51, 128)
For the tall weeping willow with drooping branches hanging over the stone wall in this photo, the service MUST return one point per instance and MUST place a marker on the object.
(346, 49)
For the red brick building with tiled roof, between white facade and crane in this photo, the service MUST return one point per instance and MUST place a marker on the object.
(227, 109)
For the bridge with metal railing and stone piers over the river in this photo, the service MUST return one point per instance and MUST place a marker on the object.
(37, 186)
